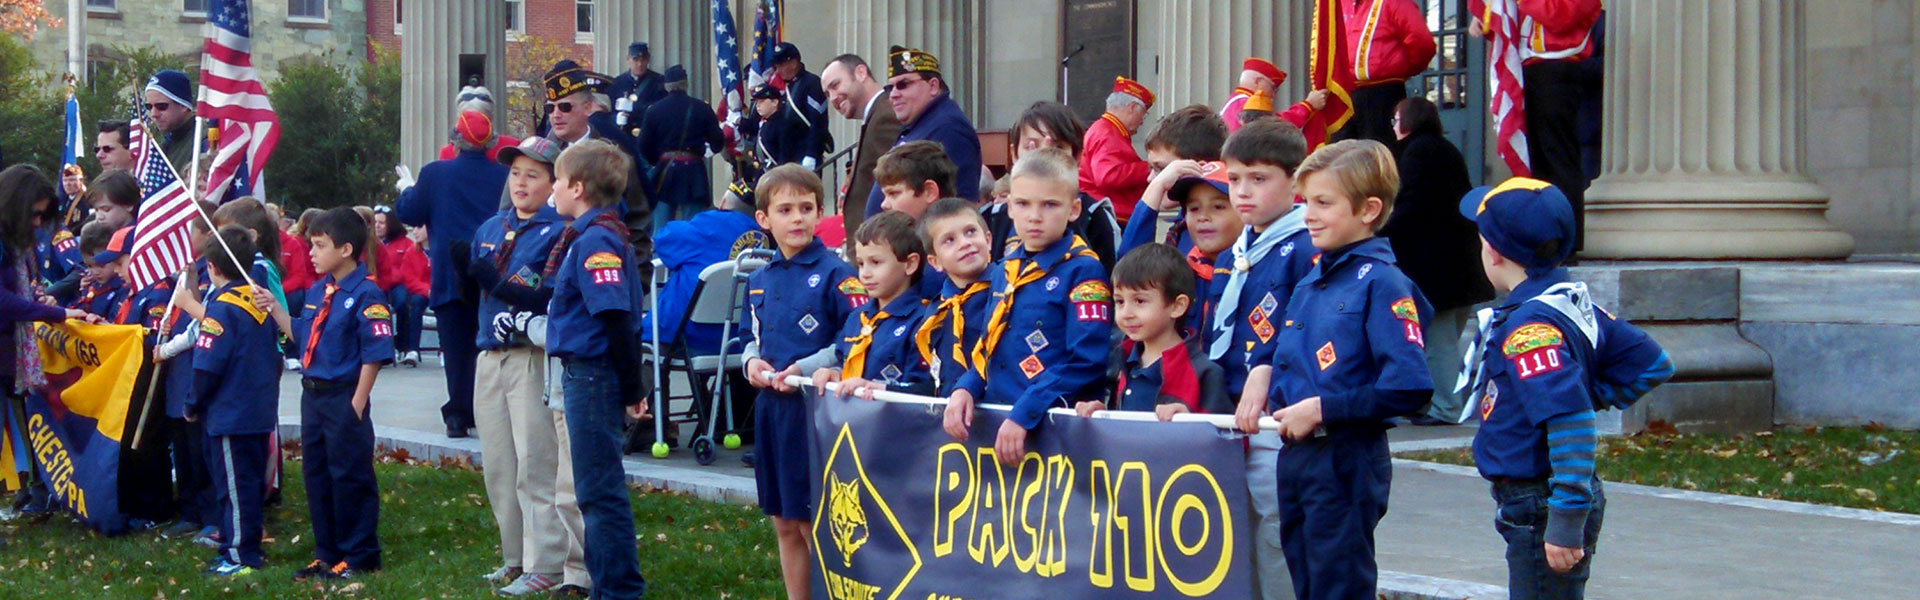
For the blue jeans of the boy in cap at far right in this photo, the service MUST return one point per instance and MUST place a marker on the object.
(1524, 522)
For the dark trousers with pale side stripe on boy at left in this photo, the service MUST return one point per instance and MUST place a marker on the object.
(239, 466)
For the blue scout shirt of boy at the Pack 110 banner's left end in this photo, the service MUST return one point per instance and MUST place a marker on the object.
(802, 303)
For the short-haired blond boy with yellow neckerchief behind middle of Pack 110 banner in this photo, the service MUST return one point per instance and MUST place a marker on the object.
(1051, 326)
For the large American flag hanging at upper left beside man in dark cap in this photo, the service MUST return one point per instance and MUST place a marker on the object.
(231, 93)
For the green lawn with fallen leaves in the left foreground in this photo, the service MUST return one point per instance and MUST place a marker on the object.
(437, 536)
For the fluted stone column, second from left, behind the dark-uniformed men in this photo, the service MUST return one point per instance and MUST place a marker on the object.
(677, 34)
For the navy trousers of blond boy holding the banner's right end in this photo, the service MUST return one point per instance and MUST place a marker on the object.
(1333, 493)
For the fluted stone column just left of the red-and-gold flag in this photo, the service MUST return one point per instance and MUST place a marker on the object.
(1203, 45)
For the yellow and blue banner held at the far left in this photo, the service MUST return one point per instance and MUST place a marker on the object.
(74, 426)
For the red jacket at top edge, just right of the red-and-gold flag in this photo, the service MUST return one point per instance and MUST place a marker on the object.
(1387, 39)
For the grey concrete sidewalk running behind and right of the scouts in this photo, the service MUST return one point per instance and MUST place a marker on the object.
(1439, 537)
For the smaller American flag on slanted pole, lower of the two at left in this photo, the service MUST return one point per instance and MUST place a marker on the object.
(160, 243)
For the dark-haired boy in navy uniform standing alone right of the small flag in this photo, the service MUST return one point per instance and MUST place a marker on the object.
(343, 336)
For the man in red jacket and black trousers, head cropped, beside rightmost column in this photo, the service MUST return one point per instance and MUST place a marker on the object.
(1550, 70)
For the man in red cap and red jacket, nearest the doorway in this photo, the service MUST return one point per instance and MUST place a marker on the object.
(1109, 166)
